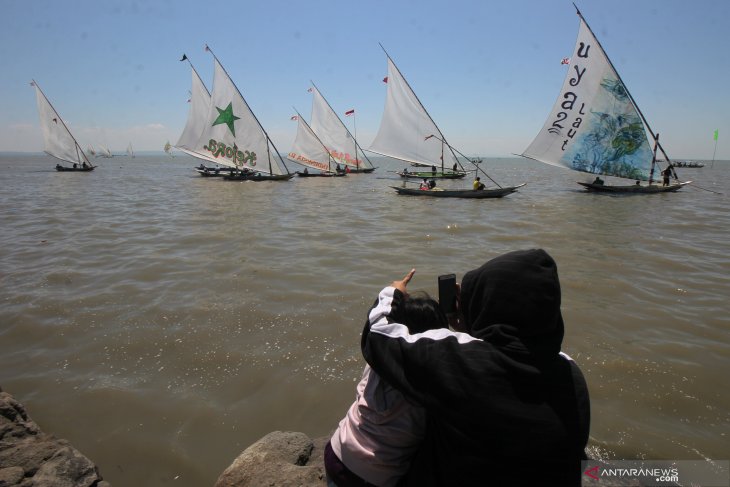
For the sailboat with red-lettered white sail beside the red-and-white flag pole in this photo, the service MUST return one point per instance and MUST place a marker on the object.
(333, 133)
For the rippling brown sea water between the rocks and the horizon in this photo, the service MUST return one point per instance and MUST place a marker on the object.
(162, 322)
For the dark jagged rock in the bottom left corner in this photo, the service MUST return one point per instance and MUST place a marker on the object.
(29, 457)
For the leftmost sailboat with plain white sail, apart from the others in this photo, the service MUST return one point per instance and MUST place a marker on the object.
(57, 138)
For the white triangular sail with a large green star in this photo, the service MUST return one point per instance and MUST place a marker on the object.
(232, 136)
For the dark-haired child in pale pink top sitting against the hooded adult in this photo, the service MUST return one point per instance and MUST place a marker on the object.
(375, 441)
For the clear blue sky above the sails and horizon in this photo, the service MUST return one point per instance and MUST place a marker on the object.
(488, 72)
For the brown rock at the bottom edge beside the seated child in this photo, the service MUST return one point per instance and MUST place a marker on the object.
(286, 459)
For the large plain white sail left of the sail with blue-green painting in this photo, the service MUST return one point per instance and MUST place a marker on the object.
(406, 126)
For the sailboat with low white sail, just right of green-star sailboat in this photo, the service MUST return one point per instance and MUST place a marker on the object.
(309, 151)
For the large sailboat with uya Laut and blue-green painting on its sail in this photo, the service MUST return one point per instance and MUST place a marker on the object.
(596, 126)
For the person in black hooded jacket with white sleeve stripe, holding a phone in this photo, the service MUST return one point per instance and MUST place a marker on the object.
(498, 391)
